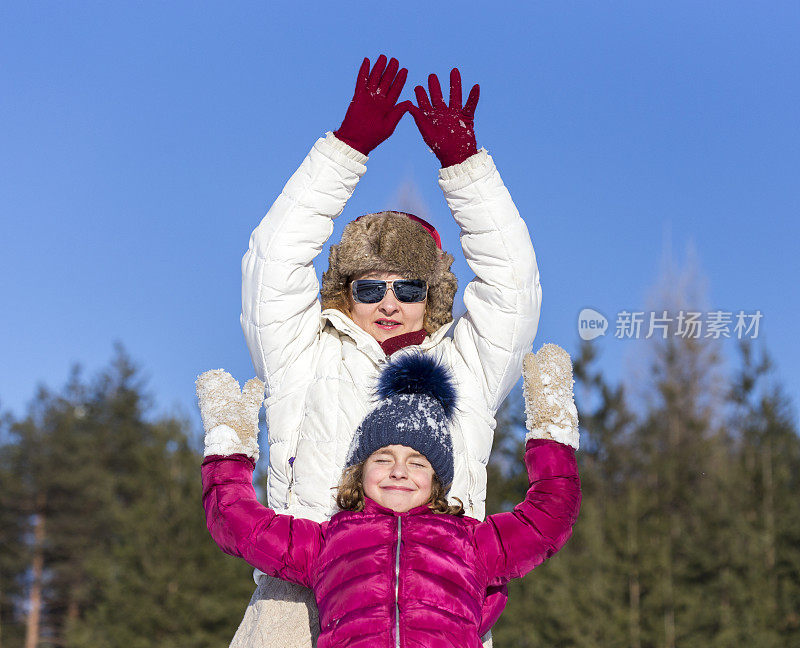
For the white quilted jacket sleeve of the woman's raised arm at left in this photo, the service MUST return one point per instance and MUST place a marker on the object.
(280, 309)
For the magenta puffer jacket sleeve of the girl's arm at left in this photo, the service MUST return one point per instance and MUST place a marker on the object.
(278, 545)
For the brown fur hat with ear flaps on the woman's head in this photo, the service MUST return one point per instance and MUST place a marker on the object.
(393, 242)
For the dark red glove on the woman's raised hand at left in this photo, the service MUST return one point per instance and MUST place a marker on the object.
(372, 115)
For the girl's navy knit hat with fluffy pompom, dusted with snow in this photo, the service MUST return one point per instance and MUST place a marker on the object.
(416, 408)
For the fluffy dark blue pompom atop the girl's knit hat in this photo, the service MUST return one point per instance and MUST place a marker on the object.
(417, 373)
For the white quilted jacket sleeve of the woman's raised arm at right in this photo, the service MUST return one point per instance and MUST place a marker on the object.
(504, 299)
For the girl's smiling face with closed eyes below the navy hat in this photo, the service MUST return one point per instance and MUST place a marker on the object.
(398, 477)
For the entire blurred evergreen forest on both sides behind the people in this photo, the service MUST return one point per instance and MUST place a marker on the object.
(689, 531)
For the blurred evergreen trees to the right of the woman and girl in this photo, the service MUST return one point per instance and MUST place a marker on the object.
(689, 532)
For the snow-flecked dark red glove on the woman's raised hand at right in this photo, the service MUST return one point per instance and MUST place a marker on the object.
(448, 130)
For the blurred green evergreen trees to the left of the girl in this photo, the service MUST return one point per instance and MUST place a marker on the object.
(110, 524)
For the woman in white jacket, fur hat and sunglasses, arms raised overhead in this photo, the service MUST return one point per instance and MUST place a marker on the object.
(319, 360)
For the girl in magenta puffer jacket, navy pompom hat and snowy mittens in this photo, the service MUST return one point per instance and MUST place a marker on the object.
(399, 565)
